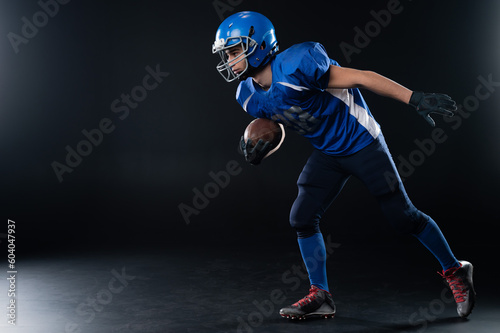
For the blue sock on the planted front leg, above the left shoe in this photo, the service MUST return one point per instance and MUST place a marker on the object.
(314, 255)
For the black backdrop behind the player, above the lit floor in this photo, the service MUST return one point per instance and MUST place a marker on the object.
(127, 192)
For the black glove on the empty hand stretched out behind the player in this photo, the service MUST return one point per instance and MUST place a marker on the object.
(432, 103)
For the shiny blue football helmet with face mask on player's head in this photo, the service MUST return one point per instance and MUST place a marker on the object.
(255, 33)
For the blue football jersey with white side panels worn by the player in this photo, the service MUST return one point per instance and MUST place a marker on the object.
(336, 121)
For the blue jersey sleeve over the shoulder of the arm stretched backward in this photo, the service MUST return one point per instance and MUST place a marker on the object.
(313, 66)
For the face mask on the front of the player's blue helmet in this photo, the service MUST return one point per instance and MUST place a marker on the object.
(248, 46)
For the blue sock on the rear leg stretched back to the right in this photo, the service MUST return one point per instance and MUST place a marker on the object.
(434, 240)
